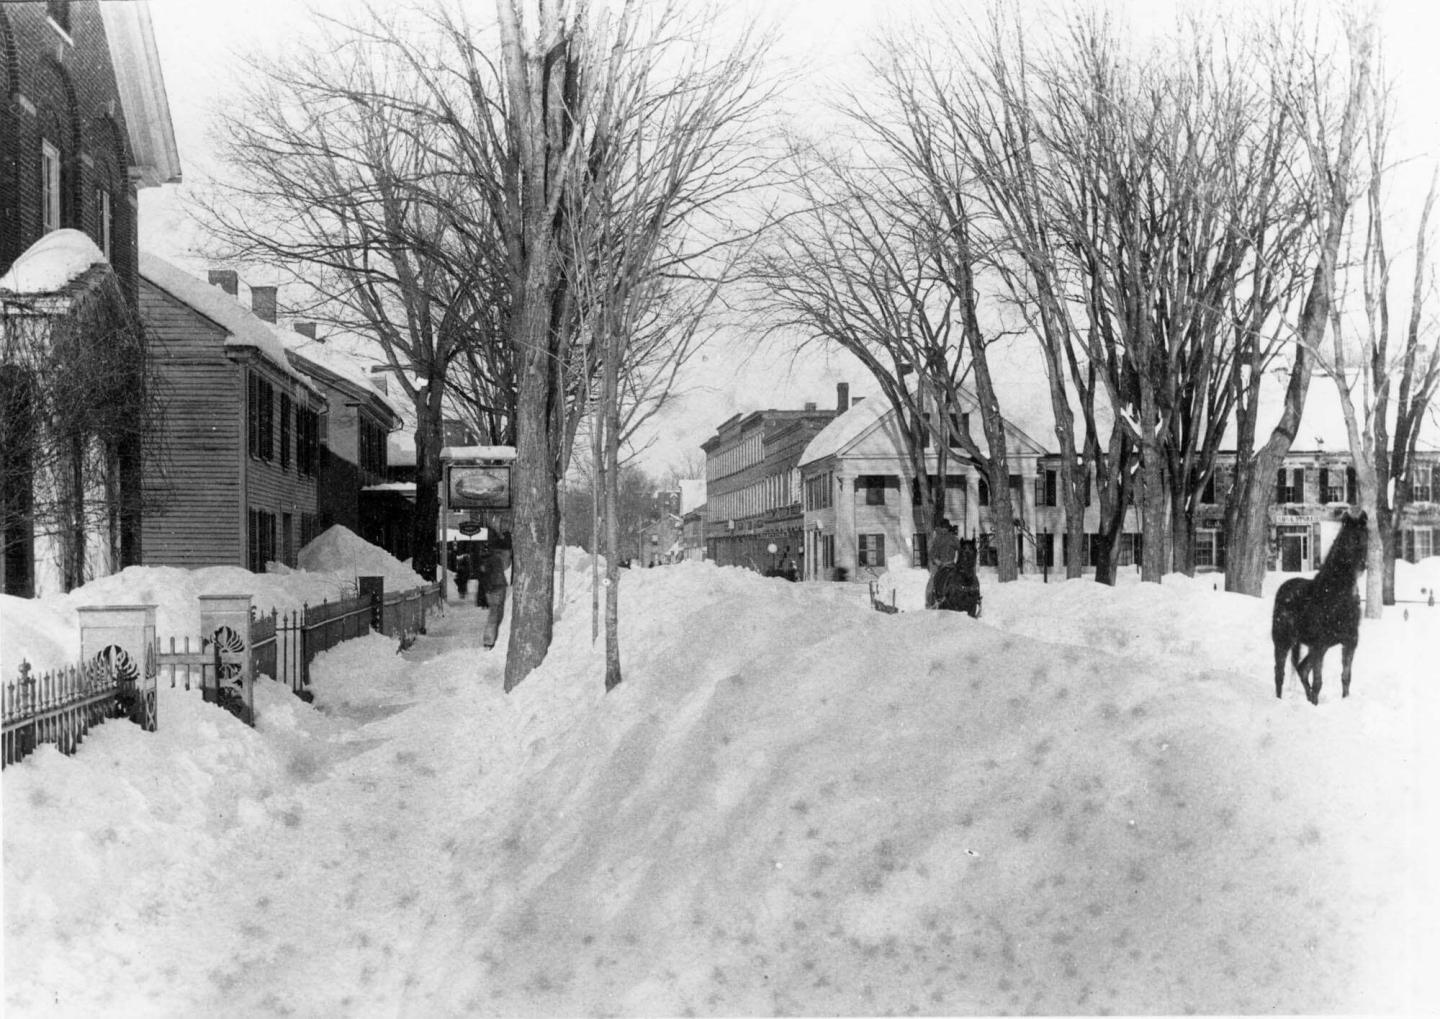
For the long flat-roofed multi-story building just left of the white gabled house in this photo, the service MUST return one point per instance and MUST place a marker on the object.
(754, 513)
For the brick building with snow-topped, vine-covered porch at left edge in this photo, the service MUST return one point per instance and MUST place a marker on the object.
(84, 123)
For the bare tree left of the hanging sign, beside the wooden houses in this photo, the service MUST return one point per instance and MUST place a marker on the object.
(336, 176)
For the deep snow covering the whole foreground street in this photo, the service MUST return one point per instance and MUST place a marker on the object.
(1089, 801)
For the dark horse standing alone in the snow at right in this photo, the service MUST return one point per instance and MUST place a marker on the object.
(1321, 612)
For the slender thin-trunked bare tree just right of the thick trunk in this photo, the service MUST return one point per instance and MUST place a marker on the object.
(650, 241)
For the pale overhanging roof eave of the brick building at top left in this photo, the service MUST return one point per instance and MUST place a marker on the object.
(142, 93)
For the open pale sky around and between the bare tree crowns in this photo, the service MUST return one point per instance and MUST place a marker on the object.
(199, 45)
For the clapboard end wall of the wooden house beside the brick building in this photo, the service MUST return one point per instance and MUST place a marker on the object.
(195, 489)
